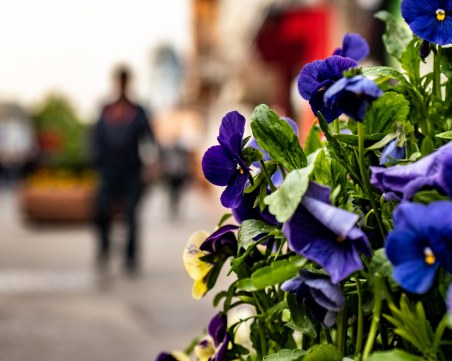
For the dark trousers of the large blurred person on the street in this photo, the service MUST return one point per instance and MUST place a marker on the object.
(119, 190)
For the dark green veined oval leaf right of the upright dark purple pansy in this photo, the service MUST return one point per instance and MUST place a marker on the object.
(277, 137)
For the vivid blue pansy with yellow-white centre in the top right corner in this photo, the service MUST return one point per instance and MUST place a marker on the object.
(430, 20)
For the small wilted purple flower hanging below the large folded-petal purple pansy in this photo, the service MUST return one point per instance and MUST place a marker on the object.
(322, 298)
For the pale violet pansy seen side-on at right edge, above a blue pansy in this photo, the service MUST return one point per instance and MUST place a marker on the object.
(401, 182)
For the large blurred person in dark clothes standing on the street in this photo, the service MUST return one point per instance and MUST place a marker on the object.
(121, 127)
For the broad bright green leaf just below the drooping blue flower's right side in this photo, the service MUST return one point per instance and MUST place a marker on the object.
(385, 111)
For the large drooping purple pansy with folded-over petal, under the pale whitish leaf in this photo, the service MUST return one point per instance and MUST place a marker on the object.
(326, 234)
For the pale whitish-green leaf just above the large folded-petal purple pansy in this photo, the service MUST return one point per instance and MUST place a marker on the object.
(283, 202)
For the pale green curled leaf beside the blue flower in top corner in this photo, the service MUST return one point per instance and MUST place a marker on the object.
(397, 35)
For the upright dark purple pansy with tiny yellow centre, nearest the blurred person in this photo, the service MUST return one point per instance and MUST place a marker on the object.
(223, 164)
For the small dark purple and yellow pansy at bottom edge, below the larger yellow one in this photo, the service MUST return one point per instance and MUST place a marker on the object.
(215, 345)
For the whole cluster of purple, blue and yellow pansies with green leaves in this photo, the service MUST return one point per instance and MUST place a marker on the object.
(342, 246)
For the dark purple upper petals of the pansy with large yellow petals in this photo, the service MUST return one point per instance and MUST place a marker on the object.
(222, 240)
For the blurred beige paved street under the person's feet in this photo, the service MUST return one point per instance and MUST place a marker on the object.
(54, 306)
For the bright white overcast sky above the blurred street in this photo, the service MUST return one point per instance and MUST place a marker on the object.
(71, 46)
